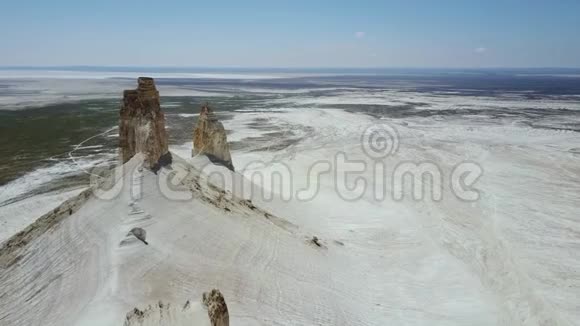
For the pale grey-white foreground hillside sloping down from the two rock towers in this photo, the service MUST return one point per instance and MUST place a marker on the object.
(85, 271)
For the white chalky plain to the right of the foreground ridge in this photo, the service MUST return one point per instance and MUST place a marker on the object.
(508, 258)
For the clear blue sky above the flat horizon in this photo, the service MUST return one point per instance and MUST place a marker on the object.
(490, 33)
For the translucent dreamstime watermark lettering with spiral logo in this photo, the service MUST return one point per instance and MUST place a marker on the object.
(379, 174)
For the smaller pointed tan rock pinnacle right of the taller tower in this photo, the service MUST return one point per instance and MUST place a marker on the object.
(209, 138)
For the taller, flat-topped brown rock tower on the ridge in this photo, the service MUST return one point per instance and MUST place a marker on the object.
(142, 123)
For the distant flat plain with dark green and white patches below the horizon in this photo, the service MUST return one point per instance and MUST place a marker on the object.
(45, 114)
